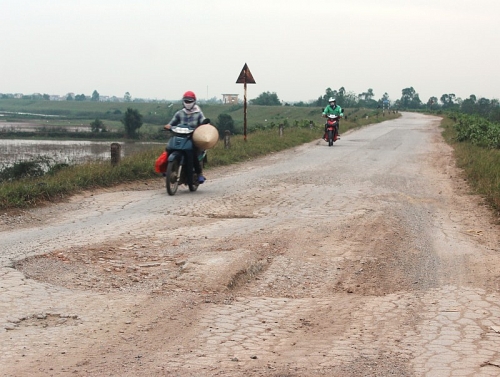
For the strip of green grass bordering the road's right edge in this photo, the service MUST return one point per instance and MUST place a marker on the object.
(481, 165)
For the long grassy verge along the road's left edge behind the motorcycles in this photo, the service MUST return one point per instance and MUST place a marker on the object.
(28, 184)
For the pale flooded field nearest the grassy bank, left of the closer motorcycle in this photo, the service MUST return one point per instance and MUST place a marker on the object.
(67, 151)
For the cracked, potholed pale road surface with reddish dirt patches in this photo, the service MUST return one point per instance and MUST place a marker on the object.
(368, 258)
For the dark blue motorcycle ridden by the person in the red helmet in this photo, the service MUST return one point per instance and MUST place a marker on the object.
(180, 169)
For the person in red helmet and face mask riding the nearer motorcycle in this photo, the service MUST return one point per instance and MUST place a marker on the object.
(192, 116)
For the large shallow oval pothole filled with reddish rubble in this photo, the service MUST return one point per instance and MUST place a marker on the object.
(101, 269)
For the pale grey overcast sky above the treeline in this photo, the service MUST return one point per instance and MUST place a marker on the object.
(295, 48)
